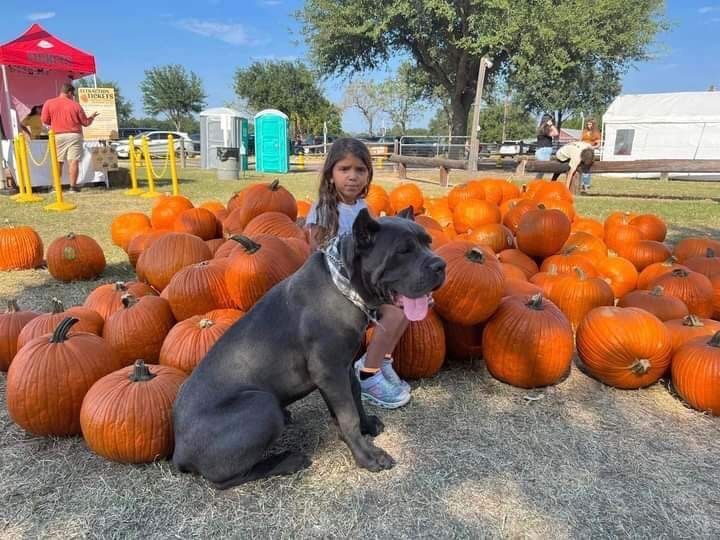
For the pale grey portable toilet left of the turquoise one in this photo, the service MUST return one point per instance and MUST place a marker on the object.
(222, 127)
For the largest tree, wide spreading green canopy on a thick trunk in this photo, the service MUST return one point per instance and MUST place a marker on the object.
(446, 39)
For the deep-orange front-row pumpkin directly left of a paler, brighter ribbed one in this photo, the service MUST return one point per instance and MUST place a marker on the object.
(528, 342)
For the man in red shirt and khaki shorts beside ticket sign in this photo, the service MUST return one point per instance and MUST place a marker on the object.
(66, 118)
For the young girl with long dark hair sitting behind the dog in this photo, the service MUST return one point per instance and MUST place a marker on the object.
(344, 183)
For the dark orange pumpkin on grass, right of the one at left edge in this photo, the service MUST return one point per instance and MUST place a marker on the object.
(75, 257)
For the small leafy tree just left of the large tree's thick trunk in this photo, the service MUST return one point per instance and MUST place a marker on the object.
(402, 96)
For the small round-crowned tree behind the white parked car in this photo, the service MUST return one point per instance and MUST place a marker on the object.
(172, 91)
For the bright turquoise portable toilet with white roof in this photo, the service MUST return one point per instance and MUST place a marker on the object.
(272, 145)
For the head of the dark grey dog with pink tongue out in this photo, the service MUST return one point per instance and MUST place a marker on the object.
(392, 262)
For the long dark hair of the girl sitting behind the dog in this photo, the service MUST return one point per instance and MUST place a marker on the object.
(327, 209)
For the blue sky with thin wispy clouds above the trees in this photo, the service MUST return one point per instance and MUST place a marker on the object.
(215, 37)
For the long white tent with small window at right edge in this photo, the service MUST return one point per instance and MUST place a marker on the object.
(682, 125)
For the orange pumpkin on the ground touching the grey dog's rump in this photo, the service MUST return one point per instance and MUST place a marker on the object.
(127, 415)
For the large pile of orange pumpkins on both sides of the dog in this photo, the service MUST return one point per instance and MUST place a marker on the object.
(528, 282)
